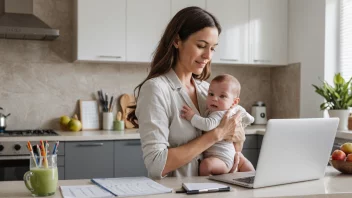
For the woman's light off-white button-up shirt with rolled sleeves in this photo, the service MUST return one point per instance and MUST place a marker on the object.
(160, 125)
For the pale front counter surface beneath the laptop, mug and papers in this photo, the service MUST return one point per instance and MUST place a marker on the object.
(333, 185)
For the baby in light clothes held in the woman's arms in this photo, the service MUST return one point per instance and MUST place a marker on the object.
(223, 93)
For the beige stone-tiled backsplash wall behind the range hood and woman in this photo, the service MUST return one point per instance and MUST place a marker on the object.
(39, 82)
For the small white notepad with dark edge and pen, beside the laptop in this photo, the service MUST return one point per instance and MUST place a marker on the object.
(196, 188)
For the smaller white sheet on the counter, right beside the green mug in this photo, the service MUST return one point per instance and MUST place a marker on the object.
(85, 191)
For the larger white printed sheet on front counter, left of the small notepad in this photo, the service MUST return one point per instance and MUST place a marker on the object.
(131, 186)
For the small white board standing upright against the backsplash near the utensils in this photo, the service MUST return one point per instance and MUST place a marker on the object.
(89, 113)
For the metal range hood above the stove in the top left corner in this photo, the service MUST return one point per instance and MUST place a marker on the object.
(17, 21)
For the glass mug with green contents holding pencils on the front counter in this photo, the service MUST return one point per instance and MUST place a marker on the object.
(41, 179)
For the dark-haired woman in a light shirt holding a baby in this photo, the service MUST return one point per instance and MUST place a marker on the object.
(171, 145)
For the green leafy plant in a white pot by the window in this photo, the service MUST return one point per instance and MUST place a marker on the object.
(337, 99)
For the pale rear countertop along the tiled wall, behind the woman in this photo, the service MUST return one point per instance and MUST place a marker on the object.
(128, 134)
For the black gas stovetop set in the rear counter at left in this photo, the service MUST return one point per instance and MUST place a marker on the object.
(37, 132)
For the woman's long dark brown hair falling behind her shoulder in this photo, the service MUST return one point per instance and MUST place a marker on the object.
(186, 22)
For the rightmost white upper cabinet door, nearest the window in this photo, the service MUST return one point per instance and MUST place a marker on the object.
(268, 32)
